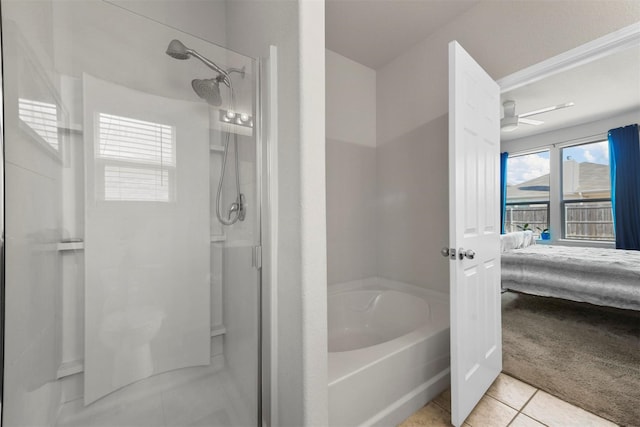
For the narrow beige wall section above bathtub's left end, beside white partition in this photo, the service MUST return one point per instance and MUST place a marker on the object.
(351, 169)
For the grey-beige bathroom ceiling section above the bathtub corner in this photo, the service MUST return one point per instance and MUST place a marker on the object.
(374, 32)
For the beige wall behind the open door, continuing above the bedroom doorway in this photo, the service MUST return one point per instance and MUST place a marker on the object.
(412, 102)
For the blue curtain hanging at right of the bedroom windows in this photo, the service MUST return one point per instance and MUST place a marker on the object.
(624, 157)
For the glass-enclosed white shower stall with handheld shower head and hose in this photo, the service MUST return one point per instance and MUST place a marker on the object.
(132, 169)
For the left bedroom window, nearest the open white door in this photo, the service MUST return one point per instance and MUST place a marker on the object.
(528, 192)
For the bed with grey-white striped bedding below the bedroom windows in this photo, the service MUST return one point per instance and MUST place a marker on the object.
(608, 277)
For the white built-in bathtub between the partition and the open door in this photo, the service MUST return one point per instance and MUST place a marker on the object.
(388, 351)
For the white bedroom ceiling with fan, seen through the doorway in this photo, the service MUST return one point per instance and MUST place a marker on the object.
(602, 88)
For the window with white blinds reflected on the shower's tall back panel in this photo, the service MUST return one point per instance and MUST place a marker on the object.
(136, 159)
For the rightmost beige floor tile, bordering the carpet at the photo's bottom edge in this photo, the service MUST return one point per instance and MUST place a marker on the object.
(553, 412)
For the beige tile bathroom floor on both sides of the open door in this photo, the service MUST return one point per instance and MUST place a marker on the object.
(508, 402)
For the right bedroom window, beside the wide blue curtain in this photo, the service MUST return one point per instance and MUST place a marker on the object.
(586, 192)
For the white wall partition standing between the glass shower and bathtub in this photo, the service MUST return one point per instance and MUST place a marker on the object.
(296, 28)
